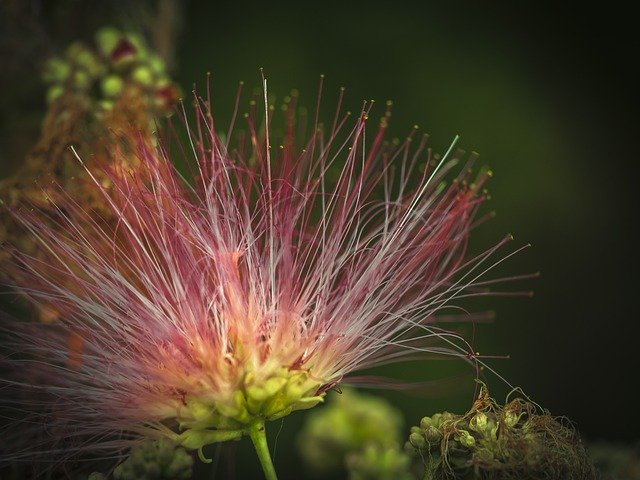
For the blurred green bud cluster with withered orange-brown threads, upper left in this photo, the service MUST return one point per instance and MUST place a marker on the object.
(96, 93)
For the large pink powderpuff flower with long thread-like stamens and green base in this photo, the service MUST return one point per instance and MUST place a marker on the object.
(206, 307)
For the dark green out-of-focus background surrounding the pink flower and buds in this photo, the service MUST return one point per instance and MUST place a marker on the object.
(544, 94)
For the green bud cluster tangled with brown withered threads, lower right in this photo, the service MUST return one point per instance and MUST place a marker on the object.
(511, 440)
